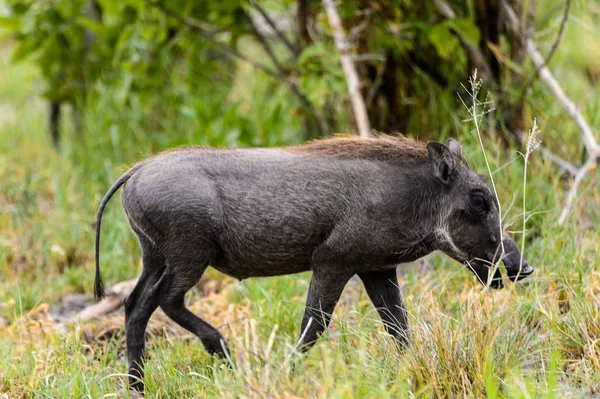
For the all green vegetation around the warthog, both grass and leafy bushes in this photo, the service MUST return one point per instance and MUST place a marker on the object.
(538, 338)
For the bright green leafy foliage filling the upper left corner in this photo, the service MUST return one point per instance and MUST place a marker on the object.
(82, 46)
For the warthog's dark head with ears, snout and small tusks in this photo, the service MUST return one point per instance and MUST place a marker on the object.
(469, 228)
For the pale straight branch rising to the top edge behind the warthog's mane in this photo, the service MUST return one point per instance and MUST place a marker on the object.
(358, 103)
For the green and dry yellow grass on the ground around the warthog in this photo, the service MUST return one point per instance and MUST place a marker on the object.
(537, 339)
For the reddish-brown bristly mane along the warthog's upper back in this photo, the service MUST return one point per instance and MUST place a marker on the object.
(382, 147)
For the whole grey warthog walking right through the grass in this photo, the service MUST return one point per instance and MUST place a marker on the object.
(338, 207)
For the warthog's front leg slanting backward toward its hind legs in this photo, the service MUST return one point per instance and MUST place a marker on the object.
(325, 289)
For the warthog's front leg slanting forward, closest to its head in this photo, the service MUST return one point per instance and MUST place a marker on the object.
(382, 288)
